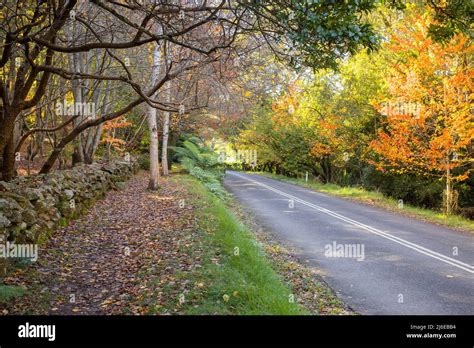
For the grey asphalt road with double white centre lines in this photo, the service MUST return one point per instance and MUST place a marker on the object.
(378, 262)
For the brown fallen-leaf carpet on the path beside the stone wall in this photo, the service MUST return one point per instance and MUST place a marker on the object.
(109, 259)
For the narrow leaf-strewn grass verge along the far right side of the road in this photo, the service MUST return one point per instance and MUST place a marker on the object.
(379, 200)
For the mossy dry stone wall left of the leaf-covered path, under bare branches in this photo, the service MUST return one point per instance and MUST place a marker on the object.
(31, 207)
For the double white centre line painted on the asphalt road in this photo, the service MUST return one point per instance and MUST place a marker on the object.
(416, 247)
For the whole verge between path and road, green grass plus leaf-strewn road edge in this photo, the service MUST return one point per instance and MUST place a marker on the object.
(239, 268)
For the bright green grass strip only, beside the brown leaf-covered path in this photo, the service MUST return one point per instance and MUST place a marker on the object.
(236, 277)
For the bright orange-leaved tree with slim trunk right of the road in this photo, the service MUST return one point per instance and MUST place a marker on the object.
(428, 129)
